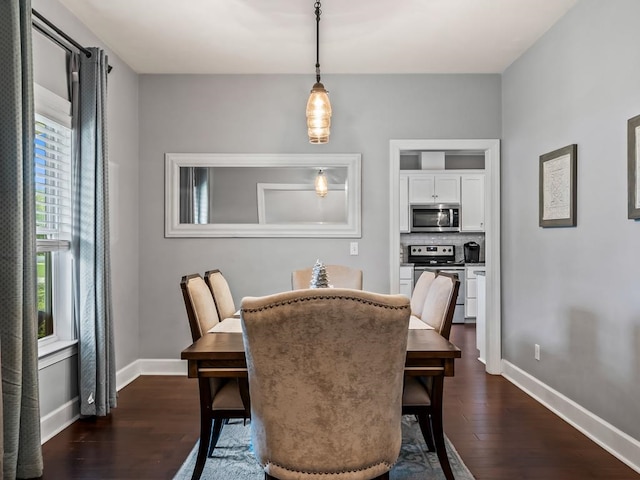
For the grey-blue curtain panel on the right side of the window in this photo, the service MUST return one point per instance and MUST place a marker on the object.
(91, 243)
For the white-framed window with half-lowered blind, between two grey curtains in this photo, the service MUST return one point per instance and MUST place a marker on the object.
(52, 169)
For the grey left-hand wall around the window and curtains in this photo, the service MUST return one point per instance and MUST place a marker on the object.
(58, 384)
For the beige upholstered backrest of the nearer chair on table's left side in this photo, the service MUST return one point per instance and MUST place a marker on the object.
(199, 303)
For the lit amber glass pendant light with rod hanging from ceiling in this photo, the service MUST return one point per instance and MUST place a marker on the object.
(318, 106)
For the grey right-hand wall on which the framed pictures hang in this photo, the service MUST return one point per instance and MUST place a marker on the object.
(575, 291)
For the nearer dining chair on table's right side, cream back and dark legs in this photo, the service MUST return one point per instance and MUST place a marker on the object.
(422, 396)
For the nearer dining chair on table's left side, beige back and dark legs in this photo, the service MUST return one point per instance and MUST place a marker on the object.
(220, 398)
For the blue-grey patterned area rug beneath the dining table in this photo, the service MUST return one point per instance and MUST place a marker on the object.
(234, 460)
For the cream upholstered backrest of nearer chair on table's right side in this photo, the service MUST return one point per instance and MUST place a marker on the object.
(440, 303)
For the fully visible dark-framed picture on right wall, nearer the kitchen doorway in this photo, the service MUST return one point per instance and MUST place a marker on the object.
(558, 178)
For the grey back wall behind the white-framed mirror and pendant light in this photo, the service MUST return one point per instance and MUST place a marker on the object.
(265, 114)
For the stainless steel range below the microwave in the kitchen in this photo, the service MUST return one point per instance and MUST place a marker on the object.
(440, 258)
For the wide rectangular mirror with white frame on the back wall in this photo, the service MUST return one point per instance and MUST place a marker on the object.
(261, 195)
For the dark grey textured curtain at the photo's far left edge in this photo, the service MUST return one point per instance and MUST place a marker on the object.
(22, 456)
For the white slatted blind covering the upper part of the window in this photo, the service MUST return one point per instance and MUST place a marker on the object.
(52, 156)
